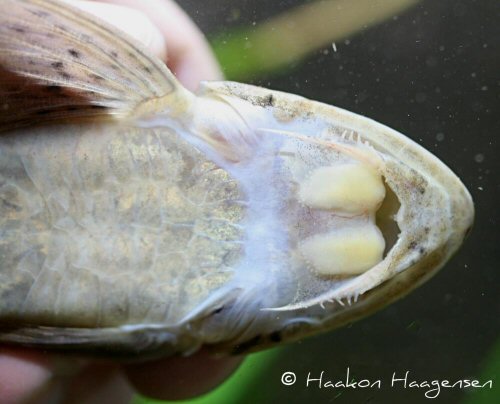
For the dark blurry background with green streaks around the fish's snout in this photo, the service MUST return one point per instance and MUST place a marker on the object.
(430, 69)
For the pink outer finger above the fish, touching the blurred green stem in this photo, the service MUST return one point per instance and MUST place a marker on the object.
(189, 55)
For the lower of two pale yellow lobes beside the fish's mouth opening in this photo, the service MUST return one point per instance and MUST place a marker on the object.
(344, 251)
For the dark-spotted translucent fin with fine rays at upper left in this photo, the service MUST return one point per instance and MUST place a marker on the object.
(59, 63)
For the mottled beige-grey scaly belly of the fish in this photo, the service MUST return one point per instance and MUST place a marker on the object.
(104, 226)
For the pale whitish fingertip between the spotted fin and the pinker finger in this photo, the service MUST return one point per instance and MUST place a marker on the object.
(133, 21)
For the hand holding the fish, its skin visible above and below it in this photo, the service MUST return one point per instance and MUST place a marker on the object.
(30, 376)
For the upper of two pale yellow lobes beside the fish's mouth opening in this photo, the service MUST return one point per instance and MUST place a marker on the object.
(352, 188)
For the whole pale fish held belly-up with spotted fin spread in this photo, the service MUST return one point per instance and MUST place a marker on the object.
(139, 219)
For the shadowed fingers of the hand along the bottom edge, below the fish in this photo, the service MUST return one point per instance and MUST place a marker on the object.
(30, 376)
